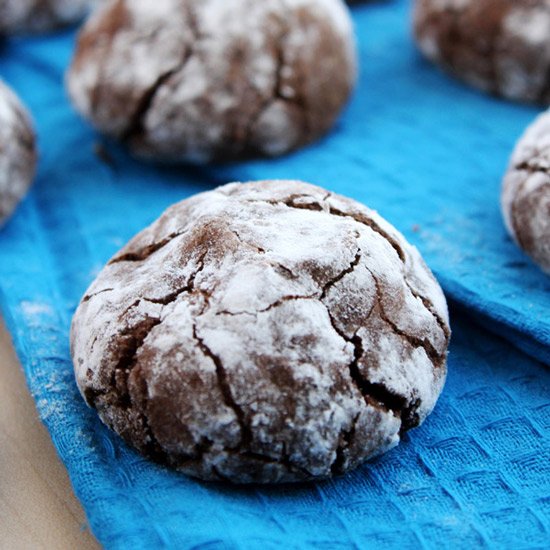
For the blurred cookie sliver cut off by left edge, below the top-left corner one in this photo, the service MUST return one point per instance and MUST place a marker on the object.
(17, 152)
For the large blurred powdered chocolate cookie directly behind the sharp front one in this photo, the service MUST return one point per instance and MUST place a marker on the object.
(208, 80)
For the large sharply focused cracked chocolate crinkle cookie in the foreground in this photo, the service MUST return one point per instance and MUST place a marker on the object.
(263, 332)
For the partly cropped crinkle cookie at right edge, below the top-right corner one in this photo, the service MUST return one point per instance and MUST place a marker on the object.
(526, 192)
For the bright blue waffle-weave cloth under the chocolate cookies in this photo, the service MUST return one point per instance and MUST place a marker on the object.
(429, 154)
